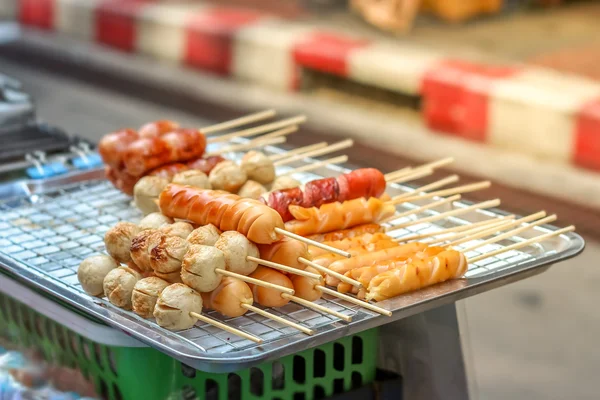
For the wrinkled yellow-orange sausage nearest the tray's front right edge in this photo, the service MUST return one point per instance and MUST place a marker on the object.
(418, 274)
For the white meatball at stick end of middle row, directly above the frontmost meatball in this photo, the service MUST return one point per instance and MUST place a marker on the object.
(199, 266)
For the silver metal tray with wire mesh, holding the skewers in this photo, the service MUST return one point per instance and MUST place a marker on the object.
(48, 227)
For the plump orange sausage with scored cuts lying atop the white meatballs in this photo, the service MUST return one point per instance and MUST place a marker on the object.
(251, 218)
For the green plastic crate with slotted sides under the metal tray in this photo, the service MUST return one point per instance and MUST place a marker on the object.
(145, 373)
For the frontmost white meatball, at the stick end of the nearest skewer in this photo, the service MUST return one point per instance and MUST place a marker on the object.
(174, 306)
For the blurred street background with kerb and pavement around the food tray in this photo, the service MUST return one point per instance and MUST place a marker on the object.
(507, 87)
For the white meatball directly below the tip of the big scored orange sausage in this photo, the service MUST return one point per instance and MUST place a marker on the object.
(236, 248)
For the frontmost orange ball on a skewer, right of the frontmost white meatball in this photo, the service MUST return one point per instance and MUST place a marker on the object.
(228, 298)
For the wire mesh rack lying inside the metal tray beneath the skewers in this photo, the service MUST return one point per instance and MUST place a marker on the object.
(54, 231)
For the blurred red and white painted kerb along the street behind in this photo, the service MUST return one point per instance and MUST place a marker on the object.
(516, 107)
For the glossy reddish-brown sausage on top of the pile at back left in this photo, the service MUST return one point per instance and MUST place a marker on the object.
(179, 145)
